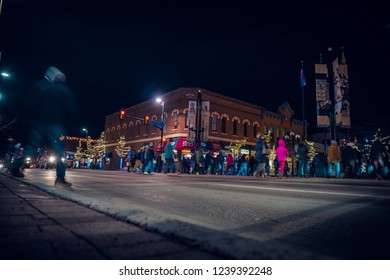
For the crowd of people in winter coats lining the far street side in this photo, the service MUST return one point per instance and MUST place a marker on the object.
(338, 162)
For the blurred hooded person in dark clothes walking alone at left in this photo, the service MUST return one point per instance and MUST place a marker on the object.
(52, 110)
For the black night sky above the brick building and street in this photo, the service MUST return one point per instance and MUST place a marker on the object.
(119, 53)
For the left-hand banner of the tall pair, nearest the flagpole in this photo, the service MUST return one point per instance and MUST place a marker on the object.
(322, 95)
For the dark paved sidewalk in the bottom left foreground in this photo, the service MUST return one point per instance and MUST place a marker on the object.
(35, 225)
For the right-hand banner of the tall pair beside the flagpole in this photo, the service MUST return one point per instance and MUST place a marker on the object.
(341, 94)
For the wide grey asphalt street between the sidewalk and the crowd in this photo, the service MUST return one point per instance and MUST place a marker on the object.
(226, 217)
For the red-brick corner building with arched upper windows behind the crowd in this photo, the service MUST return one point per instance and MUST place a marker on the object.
(224, 120)
